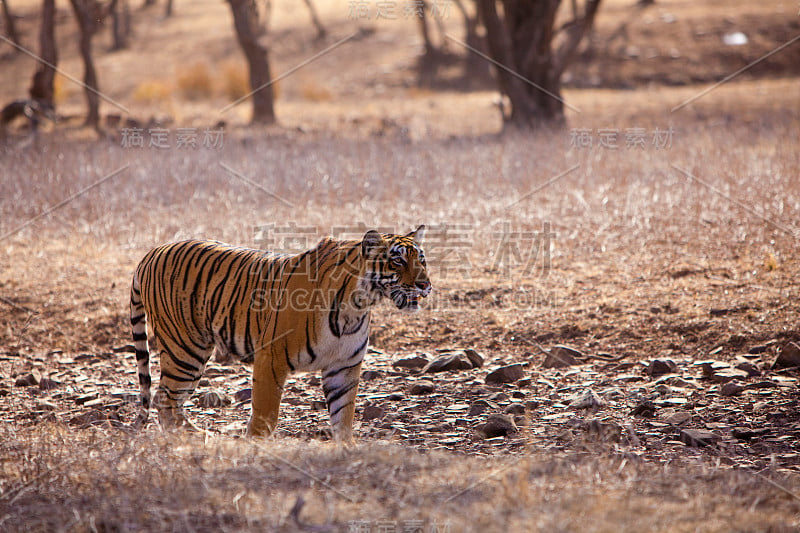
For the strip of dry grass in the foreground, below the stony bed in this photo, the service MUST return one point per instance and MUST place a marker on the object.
(56, 478)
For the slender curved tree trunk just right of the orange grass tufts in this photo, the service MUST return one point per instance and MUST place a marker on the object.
(245, 22)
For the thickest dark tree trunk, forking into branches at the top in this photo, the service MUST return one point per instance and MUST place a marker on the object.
(523, 41)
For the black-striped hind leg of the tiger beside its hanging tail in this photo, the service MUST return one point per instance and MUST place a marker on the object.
(180, 374)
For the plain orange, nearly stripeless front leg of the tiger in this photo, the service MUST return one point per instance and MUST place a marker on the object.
(269, 376)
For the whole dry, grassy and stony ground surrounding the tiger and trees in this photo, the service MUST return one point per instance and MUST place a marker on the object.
(655, 237)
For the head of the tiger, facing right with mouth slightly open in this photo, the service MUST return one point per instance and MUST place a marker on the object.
(396, 267)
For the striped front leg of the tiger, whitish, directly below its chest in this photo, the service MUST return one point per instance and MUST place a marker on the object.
(340, 386)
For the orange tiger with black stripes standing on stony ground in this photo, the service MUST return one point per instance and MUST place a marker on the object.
(284, 313)
